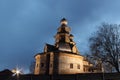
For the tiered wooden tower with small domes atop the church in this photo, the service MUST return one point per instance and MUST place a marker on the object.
(63, 38)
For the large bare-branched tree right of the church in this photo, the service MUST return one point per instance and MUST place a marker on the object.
(105, 44)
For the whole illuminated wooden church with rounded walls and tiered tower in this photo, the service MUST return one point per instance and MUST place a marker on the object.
(63, 57)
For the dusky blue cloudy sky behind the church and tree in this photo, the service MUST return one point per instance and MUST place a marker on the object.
(26, 25)
